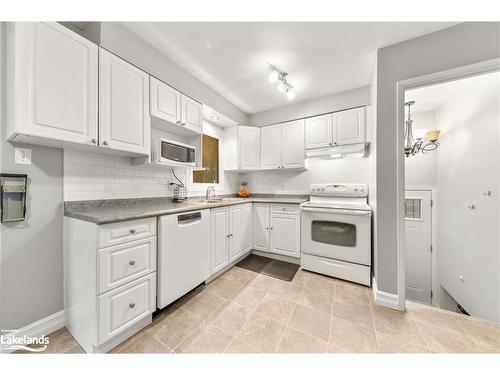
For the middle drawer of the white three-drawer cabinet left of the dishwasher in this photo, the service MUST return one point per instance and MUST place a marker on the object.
(120, 264)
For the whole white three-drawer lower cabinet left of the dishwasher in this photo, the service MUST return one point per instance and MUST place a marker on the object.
(109, 280)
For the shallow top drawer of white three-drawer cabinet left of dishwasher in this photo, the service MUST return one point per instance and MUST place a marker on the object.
(125, 231)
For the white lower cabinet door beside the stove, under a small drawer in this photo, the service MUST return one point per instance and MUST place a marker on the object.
(285, 234)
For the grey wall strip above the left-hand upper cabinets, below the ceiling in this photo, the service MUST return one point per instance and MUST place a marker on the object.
(119, 40)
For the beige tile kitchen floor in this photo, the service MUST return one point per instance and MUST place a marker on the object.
(245, 312)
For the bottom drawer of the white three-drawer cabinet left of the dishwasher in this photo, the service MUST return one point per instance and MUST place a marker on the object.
(123, 307)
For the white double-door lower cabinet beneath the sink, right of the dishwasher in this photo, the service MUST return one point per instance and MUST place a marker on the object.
(231, 234)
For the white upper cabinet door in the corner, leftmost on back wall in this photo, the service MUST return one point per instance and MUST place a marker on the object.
(248, 147)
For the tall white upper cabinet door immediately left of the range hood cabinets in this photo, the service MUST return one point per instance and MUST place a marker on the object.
(292, 140)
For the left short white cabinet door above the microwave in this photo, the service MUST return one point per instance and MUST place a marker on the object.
(165, 101)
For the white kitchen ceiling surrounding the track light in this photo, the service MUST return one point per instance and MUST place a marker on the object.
(320, 57)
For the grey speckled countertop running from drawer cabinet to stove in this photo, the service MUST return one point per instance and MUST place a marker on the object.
(113, 210)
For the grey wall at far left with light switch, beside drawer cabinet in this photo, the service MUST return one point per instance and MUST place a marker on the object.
(31, 251)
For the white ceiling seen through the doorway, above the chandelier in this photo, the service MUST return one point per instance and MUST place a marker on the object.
(432, 98)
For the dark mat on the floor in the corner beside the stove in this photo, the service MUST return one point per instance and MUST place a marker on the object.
(269, 267)
